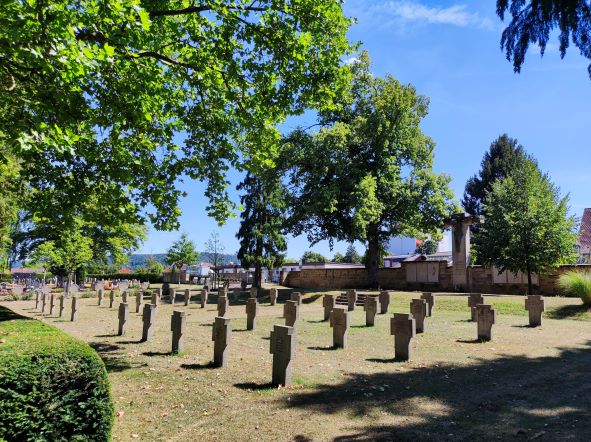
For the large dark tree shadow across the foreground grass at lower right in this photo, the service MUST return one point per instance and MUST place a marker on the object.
(489, 399)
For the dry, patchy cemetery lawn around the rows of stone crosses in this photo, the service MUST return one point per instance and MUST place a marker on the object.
(528, 383)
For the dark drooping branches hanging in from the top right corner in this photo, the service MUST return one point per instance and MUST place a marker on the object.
(533, 21)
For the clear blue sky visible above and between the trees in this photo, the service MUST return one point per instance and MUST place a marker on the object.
(450, 51)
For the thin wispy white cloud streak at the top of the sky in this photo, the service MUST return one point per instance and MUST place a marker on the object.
(407, 12)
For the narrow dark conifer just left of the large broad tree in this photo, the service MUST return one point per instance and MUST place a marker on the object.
(262, 219)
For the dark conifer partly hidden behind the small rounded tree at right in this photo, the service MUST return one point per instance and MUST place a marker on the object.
(503, 157)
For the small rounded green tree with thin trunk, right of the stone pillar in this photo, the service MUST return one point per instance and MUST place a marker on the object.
(527, 226)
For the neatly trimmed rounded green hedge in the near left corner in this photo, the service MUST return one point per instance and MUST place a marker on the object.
(52, 387)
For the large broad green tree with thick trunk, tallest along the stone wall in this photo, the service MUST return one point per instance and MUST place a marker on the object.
(367, 174)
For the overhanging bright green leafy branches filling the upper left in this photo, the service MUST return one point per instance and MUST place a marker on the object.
(121, 97)
